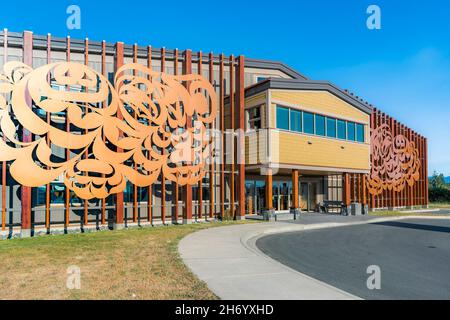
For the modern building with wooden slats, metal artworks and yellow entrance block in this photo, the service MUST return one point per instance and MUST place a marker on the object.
(305, 143)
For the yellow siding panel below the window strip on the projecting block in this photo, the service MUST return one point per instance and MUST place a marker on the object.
(294, 149)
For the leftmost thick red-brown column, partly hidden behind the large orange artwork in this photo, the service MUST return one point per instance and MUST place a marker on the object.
(26, 137)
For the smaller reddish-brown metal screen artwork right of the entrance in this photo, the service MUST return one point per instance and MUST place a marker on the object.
(395, 161)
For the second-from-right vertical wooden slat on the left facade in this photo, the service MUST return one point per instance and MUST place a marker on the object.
(233, 150)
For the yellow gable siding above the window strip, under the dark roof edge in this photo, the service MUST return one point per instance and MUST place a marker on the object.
(320, 102)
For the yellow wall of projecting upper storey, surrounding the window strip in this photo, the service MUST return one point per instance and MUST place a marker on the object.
(317, 151)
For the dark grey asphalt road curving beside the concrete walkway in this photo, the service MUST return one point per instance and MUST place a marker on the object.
(413, 255)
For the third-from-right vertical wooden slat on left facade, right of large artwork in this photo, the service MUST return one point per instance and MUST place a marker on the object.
(222, 130)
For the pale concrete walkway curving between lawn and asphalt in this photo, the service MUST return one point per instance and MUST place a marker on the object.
(227, 259)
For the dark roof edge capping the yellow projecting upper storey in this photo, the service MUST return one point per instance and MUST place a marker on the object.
(296, 84)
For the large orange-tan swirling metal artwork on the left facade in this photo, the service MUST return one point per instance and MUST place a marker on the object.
(148, 123)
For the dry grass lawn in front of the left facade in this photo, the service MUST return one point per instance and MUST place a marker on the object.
(128, 264)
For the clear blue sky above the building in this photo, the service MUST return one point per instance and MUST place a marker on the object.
(403, 69)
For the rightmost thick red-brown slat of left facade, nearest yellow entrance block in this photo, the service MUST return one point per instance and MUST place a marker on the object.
(240, 105)
